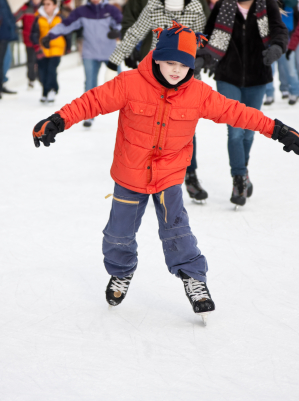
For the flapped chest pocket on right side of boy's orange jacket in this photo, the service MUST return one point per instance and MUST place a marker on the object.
(182, 122)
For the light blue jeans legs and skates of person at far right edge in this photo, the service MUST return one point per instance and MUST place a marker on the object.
(289, 82)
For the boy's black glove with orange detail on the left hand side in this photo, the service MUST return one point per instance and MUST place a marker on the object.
(46, 130)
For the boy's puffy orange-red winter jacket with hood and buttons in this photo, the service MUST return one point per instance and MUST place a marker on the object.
(156, 125)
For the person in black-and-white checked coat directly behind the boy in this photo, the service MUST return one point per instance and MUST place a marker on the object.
(140, 18)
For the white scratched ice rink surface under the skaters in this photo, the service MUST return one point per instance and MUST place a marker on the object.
(59, 341)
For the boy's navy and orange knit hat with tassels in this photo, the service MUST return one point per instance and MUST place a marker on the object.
(178, 43)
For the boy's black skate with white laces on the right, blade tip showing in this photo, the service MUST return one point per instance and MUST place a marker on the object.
(198, 294)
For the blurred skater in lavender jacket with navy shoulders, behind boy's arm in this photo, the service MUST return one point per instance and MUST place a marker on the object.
(101, 27)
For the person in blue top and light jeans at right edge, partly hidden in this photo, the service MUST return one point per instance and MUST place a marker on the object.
(288, 74)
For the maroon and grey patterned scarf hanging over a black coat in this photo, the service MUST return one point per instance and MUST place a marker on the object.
(221, 35)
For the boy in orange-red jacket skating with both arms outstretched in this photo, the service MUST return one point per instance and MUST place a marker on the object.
(160, 104)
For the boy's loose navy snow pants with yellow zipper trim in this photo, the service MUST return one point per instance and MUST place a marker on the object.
(179, 244)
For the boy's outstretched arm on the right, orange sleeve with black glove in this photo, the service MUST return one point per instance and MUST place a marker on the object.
(220, 109)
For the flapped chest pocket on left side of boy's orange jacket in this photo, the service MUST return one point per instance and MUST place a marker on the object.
(141, 116)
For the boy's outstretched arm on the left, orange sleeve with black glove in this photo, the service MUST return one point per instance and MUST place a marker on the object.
(103, 99)
